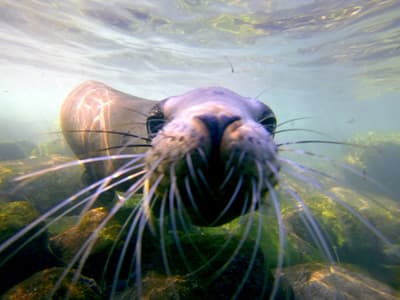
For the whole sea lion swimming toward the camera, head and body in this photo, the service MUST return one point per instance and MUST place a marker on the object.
(209, 152)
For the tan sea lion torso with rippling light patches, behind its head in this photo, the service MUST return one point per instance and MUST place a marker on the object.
(93, 115)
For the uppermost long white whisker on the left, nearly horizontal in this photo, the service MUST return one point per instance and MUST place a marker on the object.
(77, 163)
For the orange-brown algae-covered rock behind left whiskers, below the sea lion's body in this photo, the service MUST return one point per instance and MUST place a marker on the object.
(102, 242)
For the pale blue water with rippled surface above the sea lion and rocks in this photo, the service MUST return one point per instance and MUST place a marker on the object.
(336, 63)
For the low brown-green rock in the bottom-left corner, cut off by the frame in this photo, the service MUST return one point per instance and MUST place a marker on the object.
(42, 286)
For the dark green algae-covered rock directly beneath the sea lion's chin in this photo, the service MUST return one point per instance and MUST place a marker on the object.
(219, 262)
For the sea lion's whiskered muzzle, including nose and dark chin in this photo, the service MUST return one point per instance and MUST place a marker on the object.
(212, 172)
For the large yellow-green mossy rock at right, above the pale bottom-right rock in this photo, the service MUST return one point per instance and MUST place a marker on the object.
(356, 229)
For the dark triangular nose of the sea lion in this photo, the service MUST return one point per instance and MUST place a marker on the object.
(216, 125)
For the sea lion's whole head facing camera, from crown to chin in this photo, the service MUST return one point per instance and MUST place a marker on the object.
(212, 151)
